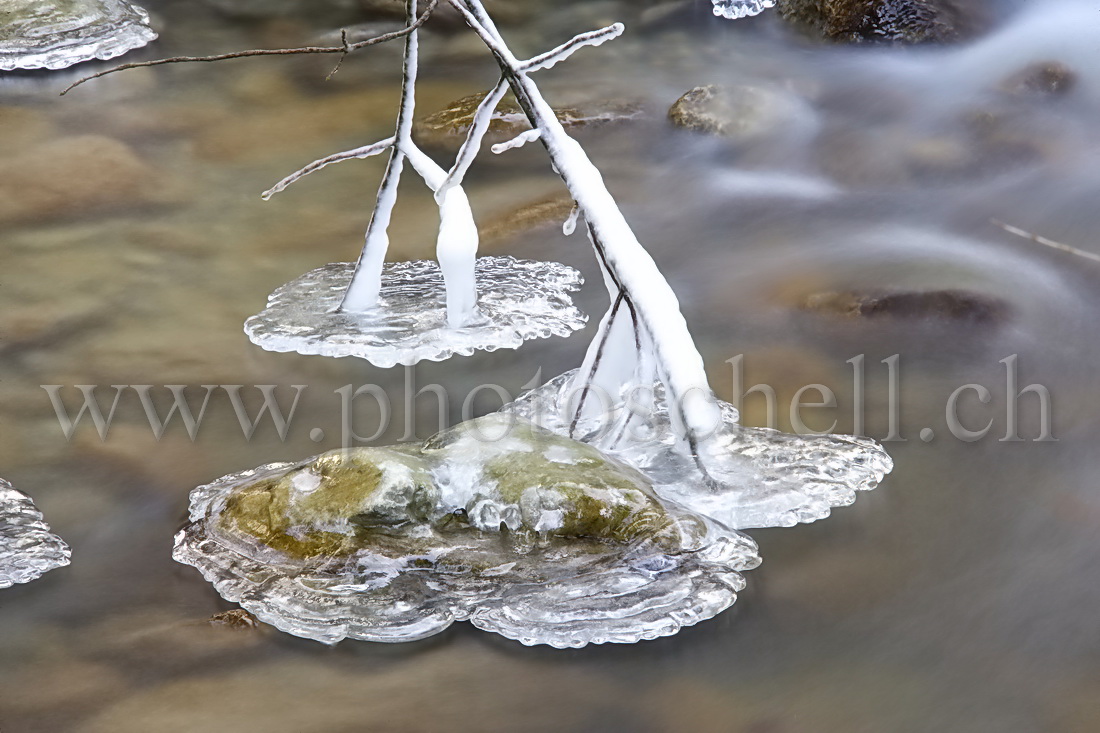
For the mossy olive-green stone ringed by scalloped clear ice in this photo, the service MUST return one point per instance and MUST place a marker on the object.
(523, 533)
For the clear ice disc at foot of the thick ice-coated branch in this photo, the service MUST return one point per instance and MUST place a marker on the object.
(757, 477)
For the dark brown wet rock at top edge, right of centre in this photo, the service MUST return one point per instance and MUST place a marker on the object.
(904, 21)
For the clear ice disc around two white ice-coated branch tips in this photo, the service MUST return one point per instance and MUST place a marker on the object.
(519, 300)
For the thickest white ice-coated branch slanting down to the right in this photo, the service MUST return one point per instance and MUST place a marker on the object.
(653, 309)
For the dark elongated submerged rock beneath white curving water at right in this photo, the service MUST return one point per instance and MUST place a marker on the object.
(947, 307)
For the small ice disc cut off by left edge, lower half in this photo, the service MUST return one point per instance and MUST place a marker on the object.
(28, 549)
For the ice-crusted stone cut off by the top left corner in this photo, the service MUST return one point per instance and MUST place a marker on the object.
(60, 34)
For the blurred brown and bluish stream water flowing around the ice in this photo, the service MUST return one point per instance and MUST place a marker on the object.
(961, 596)
